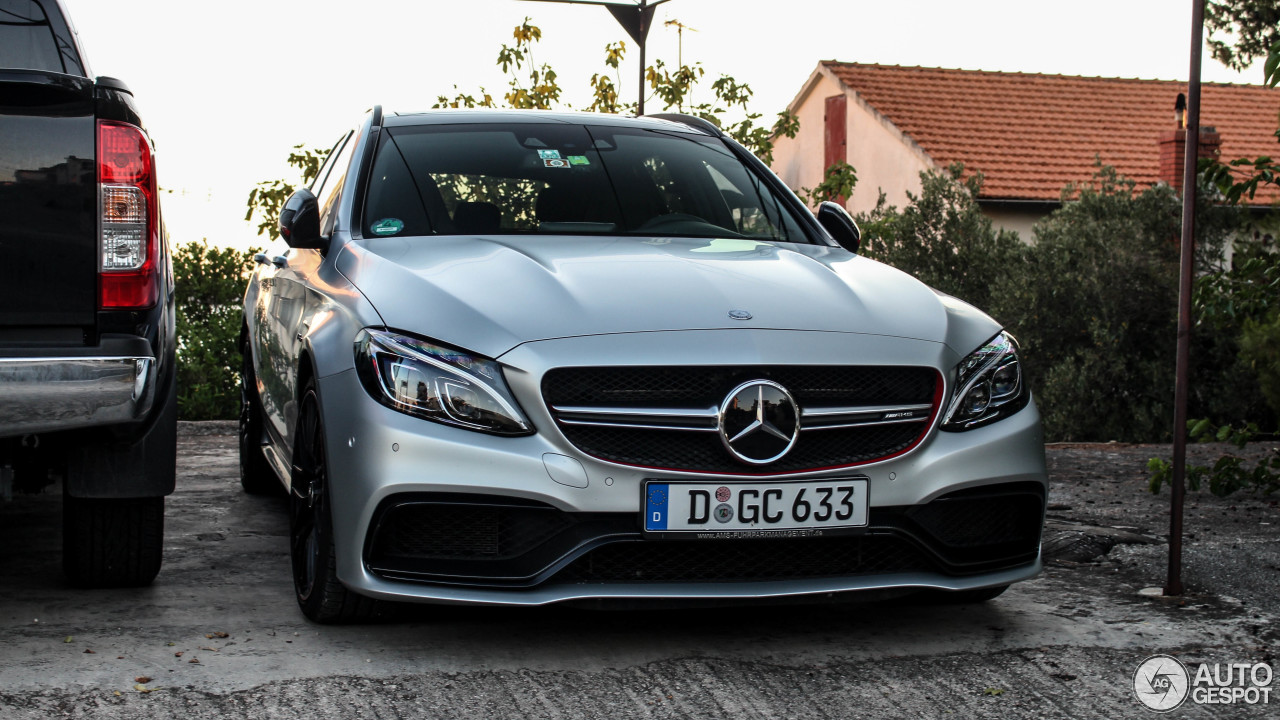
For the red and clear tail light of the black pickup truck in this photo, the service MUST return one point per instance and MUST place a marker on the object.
(129, 227)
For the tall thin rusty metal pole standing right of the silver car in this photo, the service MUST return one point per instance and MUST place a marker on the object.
(1174, 585)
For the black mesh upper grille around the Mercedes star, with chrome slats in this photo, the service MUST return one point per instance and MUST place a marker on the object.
(701, 449)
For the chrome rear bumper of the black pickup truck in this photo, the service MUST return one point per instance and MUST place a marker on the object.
(40, 395)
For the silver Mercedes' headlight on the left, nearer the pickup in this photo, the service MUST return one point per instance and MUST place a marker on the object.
(436, 382)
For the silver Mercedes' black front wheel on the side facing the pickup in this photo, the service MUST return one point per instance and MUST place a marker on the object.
(322, 596)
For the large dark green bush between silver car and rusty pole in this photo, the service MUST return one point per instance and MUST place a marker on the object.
(1098, 308)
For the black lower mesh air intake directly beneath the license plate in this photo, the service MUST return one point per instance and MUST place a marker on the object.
(755, 560)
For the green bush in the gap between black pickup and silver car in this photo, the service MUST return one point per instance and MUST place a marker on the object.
(211, 285)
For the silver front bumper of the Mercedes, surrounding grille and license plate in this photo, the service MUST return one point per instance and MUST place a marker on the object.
(380, 458)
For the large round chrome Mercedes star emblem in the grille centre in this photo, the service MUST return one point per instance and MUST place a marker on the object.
(760, 422)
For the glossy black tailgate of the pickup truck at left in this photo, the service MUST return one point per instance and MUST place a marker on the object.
(48, 203)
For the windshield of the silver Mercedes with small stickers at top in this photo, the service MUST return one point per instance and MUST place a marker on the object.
(568, 180)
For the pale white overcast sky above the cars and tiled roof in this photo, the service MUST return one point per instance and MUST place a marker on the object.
(227, 89)
